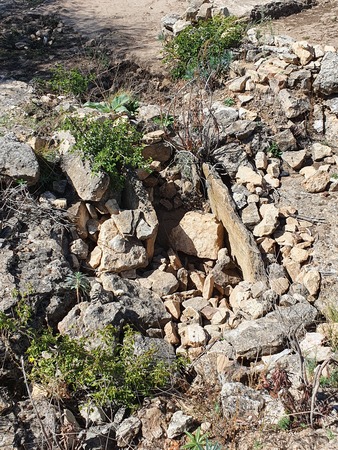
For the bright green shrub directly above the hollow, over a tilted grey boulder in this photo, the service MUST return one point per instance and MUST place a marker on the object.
(111, 146)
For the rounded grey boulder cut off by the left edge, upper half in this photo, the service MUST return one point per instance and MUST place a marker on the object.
(17, 160)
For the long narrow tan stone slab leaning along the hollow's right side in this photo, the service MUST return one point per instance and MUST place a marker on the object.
(242, 246)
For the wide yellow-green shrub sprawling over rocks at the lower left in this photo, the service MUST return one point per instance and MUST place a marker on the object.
(108, 373)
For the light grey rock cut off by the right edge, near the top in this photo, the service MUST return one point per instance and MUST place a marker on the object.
(327, 80)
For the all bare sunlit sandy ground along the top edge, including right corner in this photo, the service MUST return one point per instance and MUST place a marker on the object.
(132, 27)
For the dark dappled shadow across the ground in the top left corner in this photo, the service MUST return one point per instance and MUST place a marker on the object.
(32, 41)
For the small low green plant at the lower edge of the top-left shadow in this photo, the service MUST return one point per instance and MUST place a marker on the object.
(73, 81)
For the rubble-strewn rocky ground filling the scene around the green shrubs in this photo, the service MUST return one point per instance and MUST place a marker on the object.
(228, 260)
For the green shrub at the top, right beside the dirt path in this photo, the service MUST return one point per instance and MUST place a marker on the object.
(203, 48)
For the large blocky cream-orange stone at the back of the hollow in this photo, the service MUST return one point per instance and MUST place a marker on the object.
(198, 234)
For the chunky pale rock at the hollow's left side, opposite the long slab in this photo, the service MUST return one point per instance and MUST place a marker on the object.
(119, 253)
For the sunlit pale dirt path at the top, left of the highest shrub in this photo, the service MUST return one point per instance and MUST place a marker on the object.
(132, 27)
